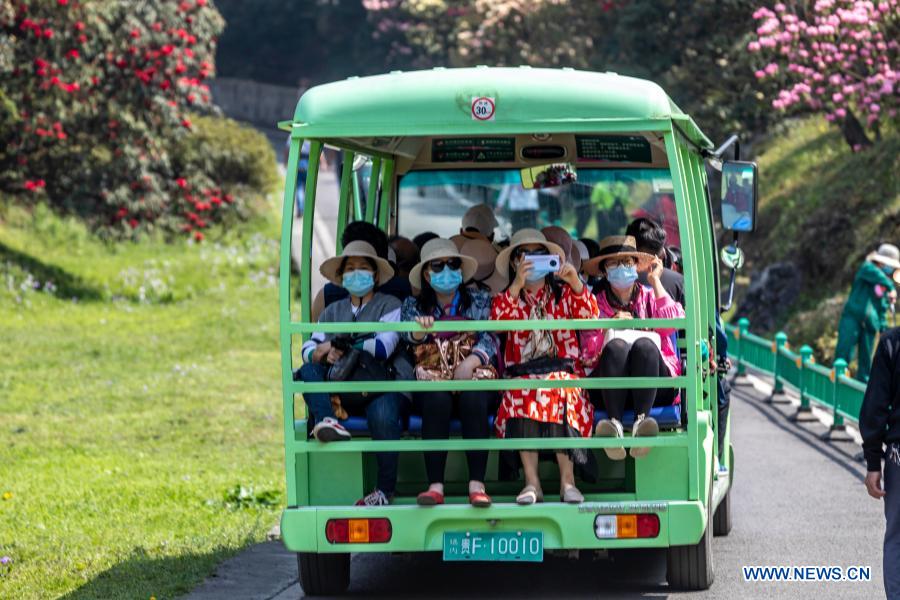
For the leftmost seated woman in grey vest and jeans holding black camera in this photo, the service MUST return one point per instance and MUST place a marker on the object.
(358, 270)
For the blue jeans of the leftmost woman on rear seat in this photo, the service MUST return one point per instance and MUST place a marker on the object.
(382, 416)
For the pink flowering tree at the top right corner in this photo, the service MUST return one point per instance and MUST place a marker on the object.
(839, 58)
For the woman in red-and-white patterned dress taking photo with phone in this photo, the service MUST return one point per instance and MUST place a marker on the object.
(542, 292)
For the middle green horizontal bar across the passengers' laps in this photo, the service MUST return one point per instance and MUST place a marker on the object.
(455, 385)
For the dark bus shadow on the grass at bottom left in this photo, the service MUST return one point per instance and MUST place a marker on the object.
(143, 576)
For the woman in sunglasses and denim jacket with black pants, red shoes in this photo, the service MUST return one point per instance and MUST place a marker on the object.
(440, 278)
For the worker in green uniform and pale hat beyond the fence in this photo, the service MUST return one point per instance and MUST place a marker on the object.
(865, 313)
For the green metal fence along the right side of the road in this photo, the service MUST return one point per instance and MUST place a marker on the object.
(828, 388)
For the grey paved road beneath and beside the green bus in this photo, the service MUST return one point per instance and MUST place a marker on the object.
(797, 501)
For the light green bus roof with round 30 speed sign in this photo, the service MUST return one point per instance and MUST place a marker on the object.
(520, 100)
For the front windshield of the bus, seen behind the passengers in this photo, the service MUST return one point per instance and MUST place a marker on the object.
(602, 202)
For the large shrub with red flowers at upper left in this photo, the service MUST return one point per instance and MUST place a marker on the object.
(98, 96)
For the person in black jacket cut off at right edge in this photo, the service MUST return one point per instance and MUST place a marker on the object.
(879, 426)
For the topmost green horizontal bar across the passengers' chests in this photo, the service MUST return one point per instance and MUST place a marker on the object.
(527, 325)
